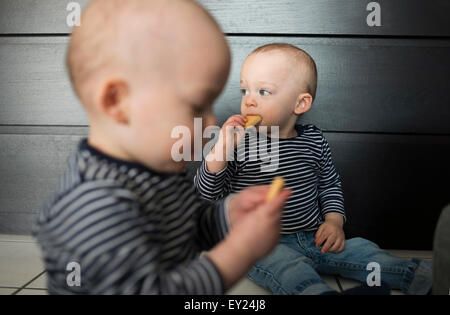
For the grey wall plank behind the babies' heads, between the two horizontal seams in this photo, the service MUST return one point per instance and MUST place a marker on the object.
(365, 85)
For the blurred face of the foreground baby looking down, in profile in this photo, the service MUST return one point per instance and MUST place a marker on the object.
(161, 105)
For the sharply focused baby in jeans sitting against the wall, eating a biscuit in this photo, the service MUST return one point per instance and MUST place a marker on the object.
(278, 83)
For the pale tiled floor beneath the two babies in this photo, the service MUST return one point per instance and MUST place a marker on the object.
(22, 271)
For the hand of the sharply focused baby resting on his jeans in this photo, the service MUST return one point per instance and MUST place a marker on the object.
(332, 234)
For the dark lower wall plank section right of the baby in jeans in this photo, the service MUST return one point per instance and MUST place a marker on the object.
(395, 186)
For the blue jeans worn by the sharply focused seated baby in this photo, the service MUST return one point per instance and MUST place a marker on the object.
(294, 265)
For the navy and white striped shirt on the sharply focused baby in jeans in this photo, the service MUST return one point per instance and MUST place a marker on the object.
(303, 161)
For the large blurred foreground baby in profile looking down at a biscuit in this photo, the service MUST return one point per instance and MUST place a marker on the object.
(126, 218)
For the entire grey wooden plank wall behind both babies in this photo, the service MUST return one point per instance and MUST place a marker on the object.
(383, 101)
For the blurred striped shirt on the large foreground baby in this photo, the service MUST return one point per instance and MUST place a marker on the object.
(130, 229)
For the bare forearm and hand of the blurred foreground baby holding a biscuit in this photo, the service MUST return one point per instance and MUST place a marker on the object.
(255, 224)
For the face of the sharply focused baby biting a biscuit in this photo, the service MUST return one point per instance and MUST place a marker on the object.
(269, 87)
